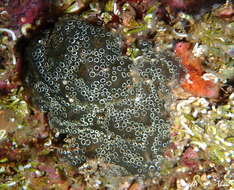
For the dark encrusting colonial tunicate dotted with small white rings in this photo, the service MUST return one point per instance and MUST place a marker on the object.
(108, 106)
